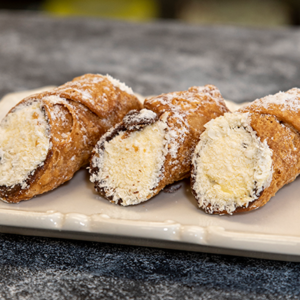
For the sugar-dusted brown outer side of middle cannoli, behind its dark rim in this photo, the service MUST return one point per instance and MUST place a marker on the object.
(187, 113)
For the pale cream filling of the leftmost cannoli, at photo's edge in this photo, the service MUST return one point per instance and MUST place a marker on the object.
(24, 143)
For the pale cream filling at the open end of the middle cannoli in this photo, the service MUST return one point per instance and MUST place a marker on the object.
(132, 164)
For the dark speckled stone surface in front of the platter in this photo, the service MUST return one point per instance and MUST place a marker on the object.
(42, 268)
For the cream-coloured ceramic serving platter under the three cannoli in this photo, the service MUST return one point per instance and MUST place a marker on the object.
(169, 220)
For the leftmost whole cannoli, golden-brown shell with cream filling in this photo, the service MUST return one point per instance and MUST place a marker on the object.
(48, 136)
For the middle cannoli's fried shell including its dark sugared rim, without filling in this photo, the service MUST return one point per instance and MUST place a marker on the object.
(183, 115)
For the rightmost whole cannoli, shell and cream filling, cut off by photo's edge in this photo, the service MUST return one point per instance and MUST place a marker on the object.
(245, 157)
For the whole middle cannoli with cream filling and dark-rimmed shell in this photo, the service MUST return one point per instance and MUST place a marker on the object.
(152, 148)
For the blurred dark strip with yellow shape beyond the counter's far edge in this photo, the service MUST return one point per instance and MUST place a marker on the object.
(256, 13)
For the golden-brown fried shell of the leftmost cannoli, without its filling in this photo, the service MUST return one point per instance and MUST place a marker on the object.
(78, 114)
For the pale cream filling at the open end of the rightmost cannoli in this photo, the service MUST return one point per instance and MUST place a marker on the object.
(232, 166)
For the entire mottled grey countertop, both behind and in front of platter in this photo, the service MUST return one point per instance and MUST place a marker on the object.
(37, 50)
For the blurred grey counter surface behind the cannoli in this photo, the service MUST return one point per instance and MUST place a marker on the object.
(151, 58)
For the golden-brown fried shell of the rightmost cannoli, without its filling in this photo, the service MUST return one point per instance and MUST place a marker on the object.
(275, 121)
